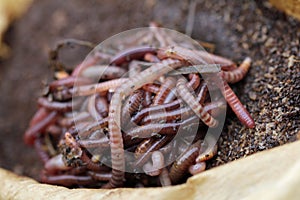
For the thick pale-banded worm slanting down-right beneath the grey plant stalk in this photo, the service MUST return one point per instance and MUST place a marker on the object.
(197, 108)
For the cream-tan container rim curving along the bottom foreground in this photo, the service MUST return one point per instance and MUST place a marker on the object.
(272, 174)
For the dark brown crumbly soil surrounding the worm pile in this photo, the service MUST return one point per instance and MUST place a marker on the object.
(236, 28)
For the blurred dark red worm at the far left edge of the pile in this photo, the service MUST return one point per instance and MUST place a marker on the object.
(32, 132)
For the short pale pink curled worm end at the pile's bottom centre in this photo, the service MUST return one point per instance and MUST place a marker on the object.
(157, 164)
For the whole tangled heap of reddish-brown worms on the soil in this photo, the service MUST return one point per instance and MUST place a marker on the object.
(136, 116)
